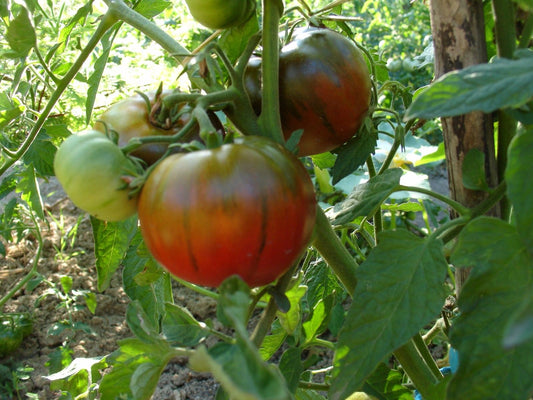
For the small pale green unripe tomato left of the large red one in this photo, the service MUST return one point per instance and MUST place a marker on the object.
(90, 167)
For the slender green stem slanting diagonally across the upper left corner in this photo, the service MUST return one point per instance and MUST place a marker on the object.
(106, 23)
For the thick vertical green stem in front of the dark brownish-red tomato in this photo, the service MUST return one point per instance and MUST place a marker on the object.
(269, 120)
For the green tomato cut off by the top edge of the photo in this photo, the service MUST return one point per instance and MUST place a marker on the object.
(220, 14)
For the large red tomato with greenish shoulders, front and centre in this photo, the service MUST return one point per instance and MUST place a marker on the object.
(246, 208)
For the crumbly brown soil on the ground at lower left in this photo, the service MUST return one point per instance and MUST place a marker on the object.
(60, 258)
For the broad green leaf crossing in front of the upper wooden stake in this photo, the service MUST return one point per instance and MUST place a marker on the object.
(483, 87)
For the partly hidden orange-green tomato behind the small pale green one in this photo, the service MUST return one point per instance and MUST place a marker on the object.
(130, 118)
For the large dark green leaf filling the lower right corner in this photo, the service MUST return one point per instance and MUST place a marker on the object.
(500, 281)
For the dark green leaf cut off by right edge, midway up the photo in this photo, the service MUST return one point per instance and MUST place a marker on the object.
(519, 188)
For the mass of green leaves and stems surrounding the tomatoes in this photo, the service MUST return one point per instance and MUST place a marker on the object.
(64, 62)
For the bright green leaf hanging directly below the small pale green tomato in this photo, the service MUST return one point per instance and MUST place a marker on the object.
(111, 240)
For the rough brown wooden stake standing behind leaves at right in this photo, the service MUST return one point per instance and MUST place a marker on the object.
(458, 30)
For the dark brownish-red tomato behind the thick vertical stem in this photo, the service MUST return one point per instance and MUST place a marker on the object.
(324, 86)
